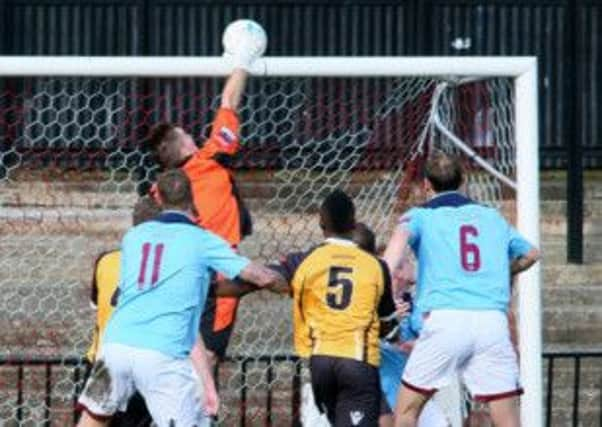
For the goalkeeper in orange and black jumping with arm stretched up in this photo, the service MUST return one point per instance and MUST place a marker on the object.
(217, 201)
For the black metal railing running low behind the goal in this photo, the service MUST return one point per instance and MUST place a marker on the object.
(575, 384)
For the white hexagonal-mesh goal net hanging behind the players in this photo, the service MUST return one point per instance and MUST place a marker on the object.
(73, 161)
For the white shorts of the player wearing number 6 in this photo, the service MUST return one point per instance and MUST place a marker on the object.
(473, 344)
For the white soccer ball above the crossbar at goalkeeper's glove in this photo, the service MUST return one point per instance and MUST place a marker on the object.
(245, 33)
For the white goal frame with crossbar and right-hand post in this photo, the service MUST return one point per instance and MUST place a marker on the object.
(522, 70)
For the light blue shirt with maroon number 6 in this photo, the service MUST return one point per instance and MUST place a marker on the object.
(464, 251)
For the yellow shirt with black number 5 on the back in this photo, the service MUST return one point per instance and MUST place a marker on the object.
(337, 290)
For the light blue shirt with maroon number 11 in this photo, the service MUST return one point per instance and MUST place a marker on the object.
(163, 283)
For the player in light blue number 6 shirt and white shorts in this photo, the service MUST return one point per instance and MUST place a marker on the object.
(466, 253)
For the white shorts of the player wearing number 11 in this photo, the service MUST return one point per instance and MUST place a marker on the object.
(170, 386)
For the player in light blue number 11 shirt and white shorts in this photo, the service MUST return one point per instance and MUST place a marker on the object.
(163, 283)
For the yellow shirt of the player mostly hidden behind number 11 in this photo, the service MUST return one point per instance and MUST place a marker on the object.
(104, 284)
